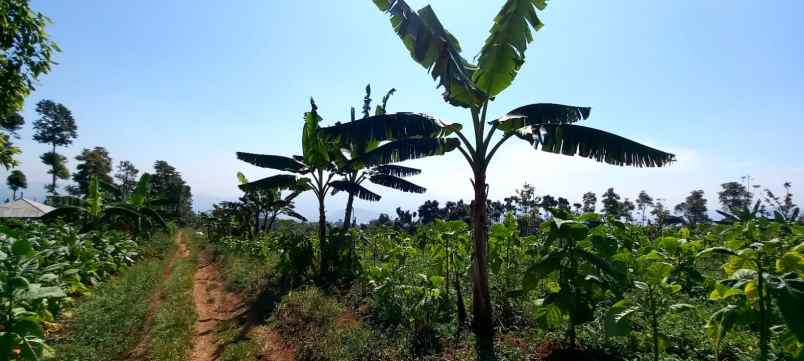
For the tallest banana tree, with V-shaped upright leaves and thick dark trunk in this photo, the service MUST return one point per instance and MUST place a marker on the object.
(549, 127)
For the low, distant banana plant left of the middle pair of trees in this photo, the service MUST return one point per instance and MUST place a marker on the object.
(269, 203)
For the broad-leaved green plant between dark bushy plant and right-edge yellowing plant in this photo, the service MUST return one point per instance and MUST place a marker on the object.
(651, 297)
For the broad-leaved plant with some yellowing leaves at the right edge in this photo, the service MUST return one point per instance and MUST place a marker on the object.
(764, 282)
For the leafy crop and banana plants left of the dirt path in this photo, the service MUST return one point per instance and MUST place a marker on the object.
(48, 265)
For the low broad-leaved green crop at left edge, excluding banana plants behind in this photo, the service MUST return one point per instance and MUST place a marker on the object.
(39, 267)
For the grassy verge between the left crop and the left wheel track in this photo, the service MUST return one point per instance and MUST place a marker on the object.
(109, 322)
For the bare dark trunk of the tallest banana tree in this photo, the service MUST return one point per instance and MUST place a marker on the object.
(483, 322)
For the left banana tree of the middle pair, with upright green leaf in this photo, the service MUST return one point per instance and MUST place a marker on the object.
(314, 170)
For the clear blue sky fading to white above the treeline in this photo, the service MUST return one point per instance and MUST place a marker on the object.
(719, 83)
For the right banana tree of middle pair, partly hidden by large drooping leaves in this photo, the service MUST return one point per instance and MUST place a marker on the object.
(355, 171)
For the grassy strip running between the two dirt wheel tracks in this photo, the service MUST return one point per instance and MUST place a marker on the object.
(172, 333)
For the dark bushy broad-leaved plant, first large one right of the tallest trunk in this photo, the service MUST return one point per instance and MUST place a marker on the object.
(575, 276)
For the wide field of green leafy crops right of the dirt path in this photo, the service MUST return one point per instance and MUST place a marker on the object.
(620, 288)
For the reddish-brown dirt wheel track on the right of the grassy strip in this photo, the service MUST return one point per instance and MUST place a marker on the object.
(213, 304)
